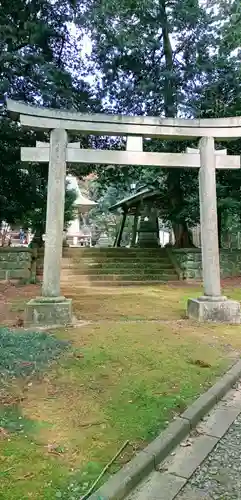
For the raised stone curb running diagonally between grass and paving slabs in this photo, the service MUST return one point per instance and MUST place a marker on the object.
(122, 483)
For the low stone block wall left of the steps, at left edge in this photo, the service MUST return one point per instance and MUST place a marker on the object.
(15, 263)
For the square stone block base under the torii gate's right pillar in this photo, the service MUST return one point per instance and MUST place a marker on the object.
(214, 309)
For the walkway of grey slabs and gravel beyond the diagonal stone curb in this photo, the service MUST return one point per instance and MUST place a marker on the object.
(207, 465)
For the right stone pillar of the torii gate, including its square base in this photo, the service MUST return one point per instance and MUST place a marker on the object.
(212, 306)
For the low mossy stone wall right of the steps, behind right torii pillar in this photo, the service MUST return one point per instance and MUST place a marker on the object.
(190, 262)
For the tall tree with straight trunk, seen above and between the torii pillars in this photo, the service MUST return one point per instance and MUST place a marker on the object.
(152, 56)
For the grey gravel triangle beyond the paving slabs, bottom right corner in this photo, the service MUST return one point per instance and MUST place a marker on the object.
(219, 477)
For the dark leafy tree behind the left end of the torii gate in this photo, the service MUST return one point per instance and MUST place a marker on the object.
(38, 65)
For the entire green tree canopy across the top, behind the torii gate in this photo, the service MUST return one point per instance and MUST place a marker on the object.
(149, 57)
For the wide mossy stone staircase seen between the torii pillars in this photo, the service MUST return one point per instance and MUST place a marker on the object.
(116, 267)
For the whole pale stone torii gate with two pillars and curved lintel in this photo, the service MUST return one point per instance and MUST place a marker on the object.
(51, 308)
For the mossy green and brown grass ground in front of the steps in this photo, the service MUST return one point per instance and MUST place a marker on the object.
(118, 380)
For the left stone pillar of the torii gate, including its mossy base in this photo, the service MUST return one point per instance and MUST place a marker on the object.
(51, 308)
